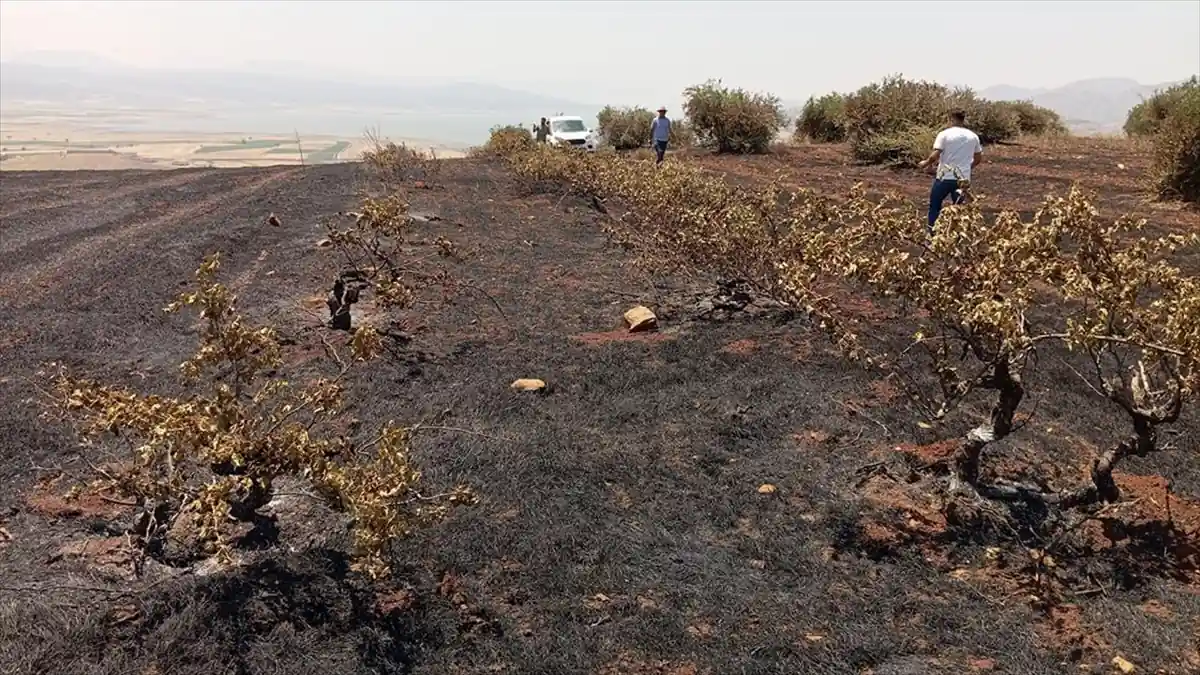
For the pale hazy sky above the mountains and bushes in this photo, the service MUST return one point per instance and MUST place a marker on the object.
(635, 52)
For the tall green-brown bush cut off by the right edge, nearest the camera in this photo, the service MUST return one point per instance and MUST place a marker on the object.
(1177, 148)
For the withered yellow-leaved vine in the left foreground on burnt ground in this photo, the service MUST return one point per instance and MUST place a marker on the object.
(215, 453)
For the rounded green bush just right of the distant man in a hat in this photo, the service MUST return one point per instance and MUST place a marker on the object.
(733, 121)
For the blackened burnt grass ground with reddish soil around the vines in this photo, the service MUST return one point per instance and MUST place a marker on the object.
(621, 525)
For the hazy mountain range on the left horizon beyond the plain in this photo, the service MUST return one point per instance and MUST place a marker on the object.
(458, 112)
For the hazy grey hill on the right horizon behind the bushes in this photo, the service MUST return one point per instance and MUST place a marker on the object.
(1089, 105)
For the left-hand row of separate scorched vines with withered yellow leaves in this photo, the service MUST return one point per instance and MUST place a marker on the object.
(202, 465)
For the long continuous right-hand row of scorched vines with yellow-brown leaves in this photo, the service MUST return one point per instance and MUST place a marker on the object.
(1096, 288)
